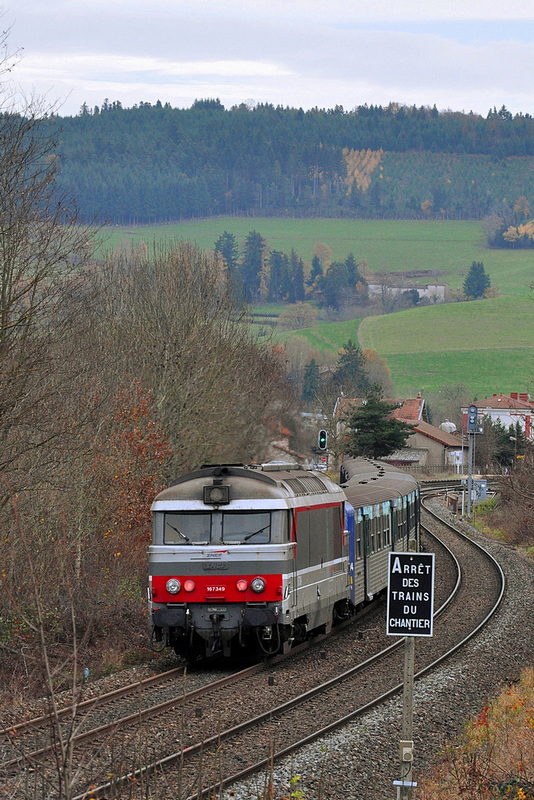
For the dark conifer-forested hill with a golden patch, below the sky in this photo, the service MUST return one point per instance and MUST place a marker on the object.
(154, 163)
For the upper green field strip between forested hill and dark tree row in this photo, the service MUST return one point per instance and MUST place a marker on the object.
(389, 245)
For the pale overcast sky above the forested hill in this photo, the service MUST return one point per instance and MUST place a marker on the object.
(465, 55)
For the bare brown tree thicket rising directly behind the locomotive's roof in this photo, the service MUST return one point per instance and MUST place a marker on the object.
(169, 318)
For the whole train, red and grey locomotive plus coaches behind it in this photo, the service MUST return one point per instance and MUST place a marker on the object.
(250, 560)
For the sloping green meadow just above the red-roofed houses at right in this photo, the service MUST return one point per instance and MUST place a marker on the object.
(486, 345)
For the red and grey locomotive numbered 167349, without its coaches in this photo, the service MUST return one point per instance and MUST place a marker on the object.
(225, 568)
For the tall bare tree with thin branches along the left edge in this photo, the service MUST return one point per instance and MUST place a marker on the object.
(41, 249)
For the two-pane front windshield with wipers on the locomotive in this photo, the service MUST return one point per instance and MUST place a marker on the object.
(228, 527)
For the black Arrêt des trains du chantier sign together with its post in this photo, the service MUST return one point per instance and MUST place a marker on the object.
(410, 608)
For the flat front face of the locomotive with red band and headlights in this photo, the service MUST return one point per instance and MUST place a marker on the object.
(218, 563)
